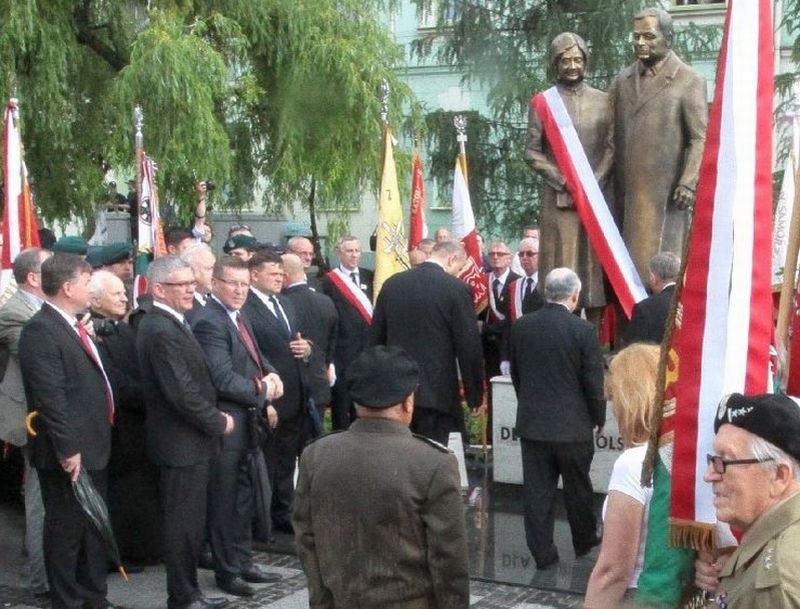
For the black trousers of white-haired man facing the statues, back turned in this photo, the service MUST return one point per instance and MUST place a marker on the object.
(542, 463)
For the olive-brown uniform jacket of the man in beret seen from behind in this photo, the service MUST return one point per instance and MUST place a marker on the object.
(379, 521)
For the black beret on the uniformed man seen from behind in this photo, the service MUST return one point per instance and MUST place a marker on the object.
(382, 377)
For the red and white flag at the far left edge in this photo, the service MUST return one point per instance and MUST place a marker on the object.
(20, 229)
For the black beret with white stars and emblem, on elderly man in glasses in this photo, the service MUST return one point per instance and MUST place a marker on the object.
(771, 416)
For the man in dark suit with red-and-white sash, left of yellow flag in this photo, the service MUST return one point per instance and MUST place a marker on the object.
(350, 288)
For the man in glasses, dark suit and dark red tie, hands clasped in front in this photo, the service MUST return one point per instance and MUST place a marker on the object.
(245, 384)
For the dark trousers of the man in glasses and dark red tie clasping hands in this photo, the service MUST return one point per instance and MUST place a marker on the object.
(230, 513)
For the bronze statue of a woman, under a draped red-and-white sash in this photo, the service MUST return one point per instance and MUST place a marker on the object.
(564, 242)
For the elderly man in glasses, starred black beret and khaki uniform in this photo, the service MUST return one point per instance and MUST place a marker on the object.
(755, 474)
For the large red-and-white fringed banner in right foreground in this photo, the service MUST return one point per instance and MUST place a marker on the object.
(722, 333)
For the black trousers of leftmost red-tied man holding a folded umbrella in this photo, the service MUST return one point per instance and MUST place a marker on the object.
(75, 558)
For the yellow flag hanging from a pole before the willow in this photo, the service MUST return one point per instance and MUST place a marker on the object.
(390, 251)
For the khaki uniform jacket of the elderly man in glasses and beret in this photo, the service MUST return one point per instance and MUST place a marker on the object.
(764, 571)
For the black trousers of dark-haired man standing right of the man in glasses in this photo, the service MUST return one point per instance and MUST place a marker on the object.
(288, 440)
